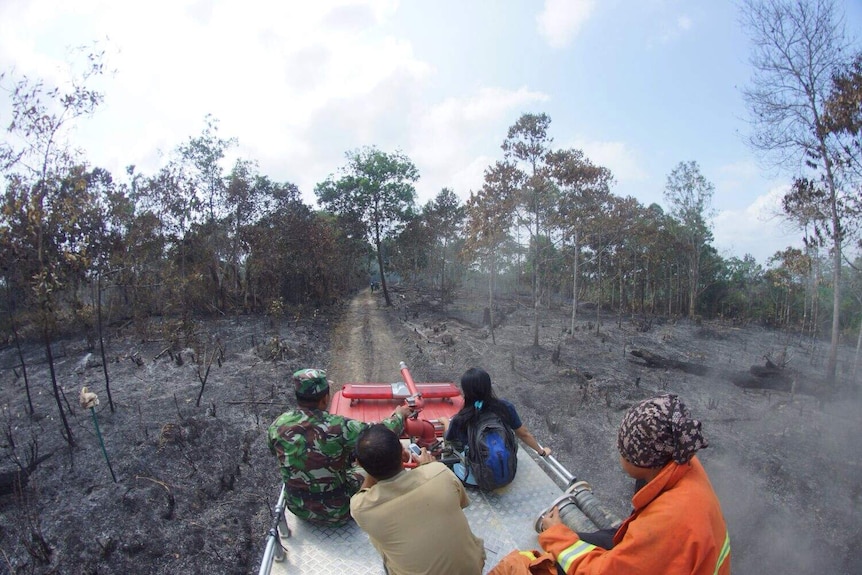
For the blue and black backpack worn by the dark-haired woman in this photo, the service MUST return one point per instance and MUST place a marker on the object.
(492, 451)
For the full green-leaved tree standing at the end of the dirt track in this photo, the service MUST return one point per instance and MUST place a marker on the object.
(377, 189)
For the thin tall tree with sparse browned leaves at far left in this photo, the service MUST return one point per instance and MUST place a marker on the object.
(46, 198)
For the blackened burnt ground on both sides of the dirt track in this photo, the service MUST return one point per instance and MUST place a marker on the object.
(195, 483)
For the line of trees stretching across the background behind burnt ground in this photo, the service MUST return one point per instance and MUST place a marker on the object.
(81, 248)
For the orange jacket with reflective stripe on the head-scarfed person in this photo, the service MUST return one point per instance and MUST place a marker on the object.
(676, 528)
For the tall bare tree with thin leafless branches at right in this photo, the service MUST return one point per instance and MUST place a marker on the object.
(797, 45)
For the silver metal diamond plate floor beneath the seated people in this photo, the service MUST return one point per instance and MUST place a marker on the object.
(503, 519)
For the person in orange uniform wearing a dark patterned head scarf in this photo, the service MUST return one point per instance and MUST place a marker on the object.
(676, 527)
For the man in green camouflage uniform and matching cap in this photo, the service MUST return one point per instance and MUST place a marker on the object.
(315, 450)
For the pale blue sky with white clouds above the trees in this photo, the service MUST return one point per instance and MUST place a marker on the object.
(638, 85)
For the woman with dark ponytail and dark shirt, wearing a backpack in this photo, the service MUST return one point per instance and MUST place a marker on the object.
(478, 397)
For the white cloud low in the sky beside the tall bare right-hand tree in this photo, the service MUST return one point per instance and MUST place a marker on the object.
(758, 229)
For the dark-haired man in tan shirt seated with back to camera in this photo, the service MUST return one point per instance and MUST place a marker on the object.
(414, 517)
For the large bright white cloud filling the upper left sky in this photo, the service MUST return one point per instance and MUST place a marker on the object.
(297, 83)
